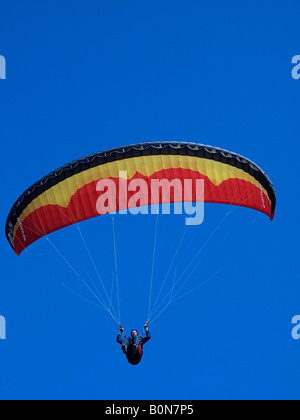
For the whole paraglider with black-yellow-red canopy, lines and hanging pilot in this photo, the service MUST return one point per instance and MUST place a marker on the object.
(120, 179)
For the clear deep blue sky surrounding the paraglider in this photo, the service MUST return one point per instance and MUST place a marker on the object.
(86, 76)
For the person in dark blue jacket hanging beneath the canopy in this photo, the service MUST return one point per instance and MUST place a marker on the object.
(133, 346)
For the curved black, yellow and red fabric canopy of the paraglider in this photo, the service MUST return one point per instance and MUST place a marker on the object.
(69, 194)
